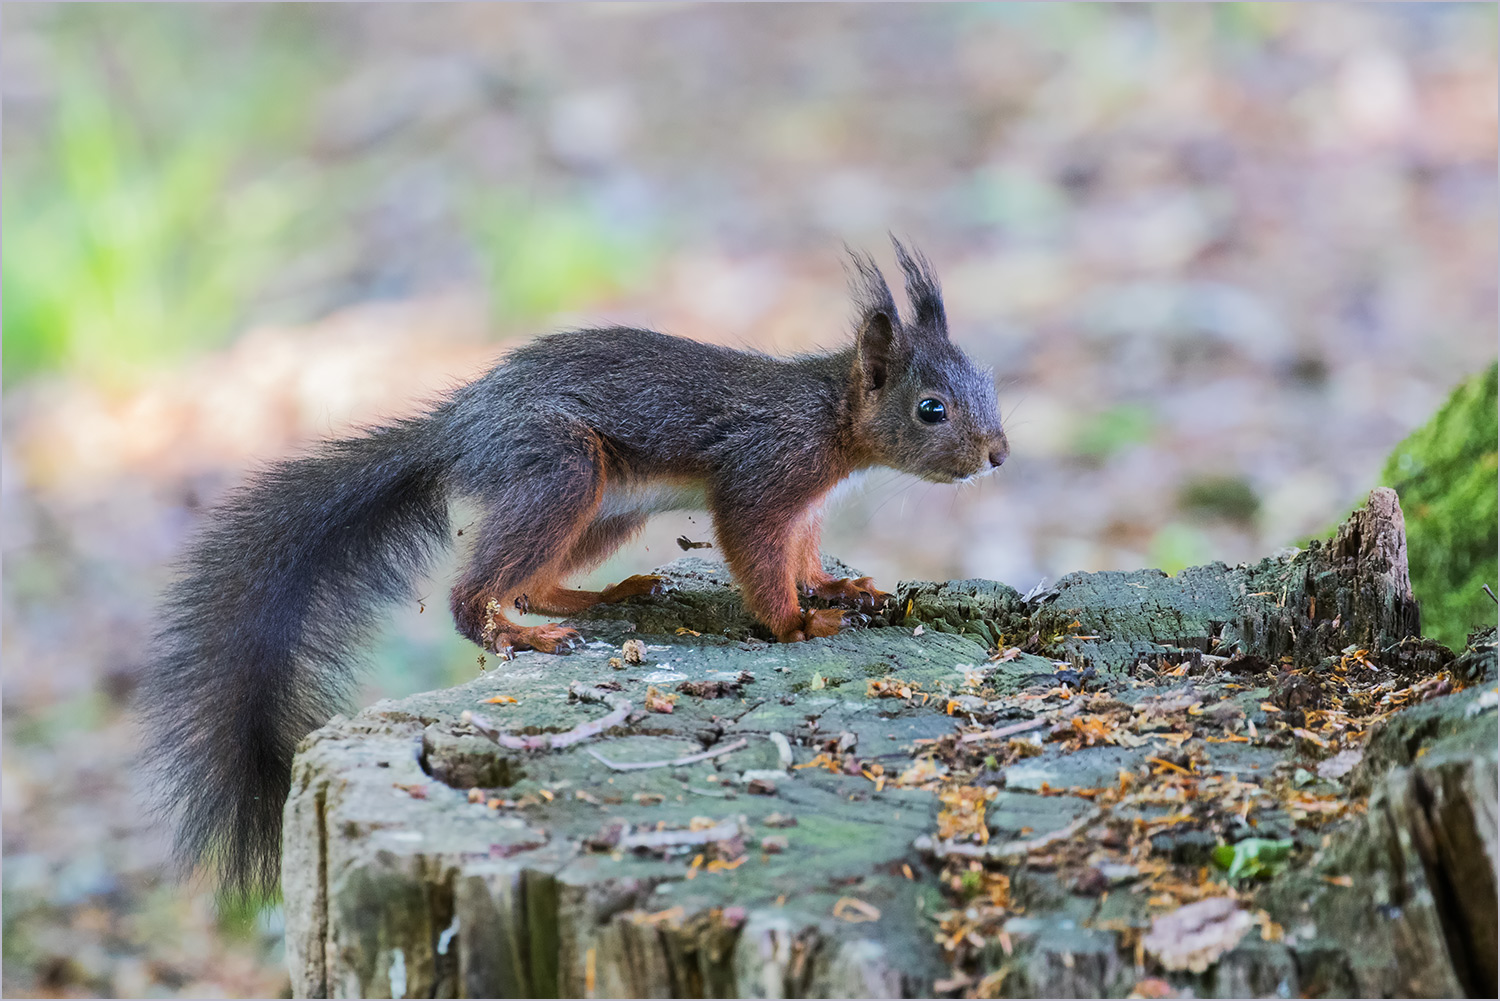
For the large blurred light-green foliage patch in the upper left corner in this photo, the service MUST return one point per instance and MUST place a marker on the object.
(140, 223)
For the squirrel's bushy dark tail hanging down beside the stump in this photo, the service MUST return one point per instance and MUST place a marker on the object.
(260, 633)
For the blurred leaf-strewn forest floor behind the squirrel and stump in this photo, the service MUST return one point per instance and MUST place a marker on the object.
(1222, 257)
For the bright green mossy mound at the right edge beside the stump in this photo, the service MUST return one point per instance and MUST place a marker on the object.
(1447, 478)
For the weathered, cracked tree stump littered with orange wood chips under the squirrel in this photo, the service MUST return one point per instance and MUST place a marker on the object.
(425, 861)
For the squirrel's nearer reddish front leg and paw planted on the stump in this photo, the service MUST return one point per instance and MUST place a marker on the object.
(763, 550)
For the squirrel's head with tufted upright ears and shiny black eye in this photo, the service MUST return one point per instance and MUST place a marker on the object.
(922, 406)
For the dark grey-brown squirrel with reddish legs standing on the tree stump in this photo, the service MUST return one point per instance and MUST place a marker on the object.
(568, 446)
